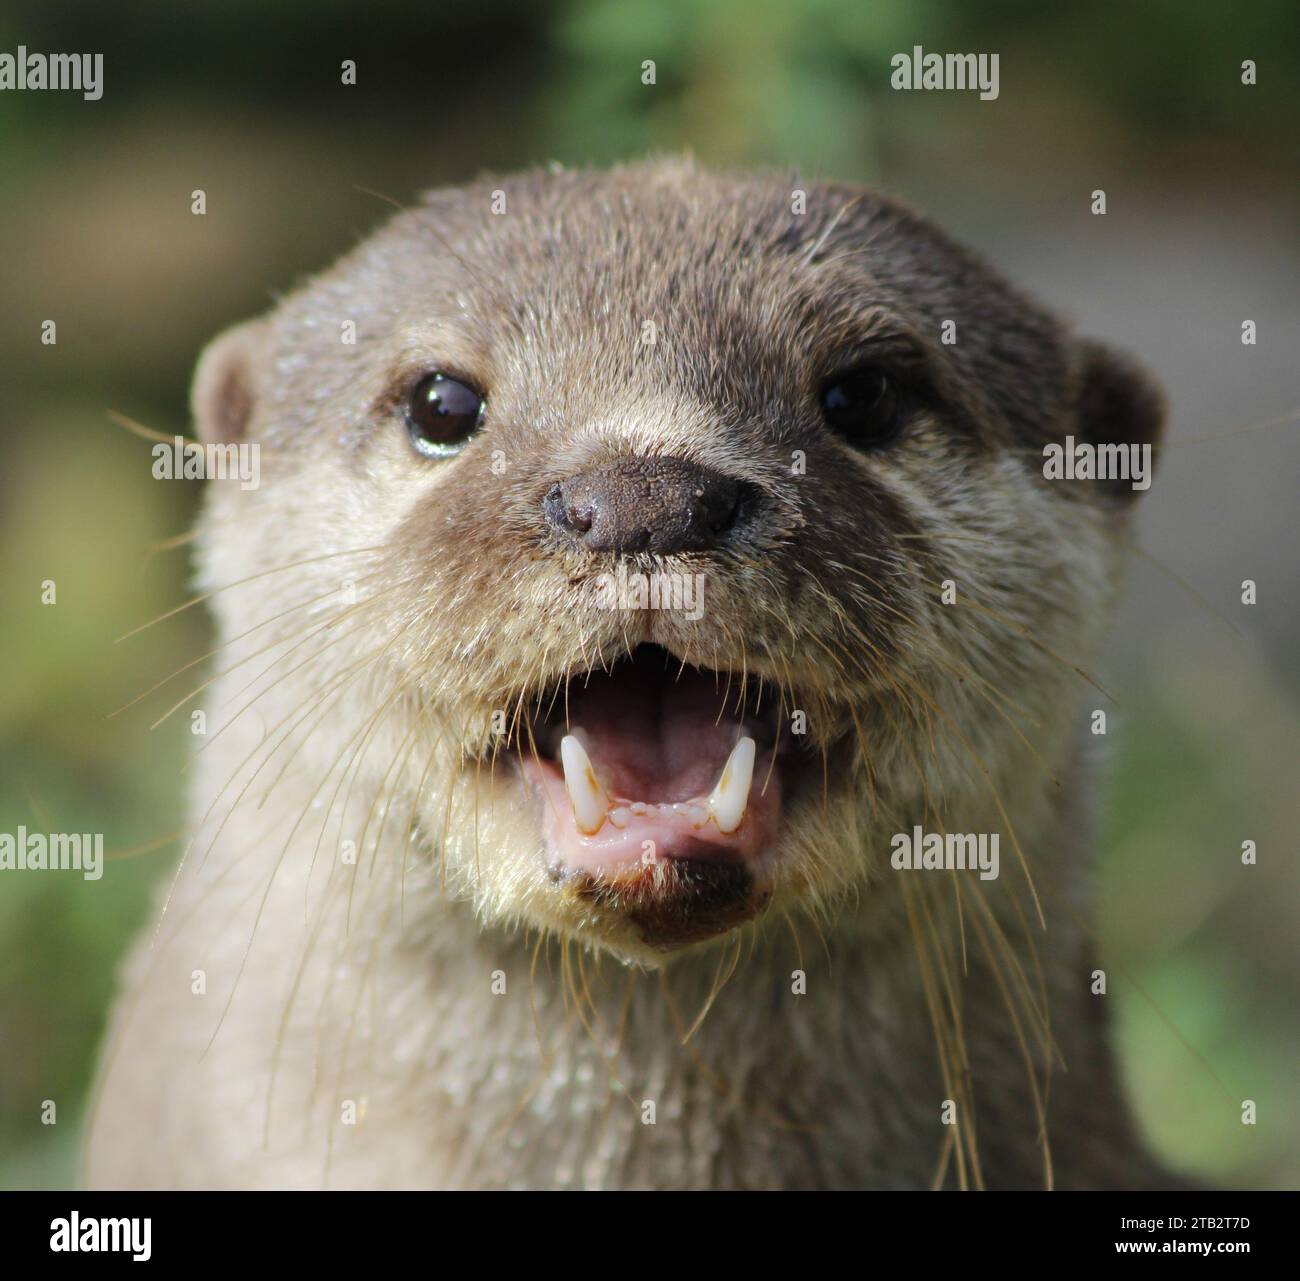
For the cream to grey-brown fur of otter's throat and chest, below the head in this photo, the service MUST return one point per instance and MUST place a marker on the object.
(359, 1028)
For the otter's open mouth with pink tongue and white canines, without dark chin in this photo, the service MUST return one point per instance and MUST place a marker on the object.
(655, 763)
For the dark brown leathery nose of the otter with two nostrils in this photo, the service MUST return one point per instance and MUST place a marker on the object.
(661, 505)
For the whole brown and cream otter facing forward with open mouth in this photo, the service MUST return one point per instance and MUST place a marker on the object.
(639, 556)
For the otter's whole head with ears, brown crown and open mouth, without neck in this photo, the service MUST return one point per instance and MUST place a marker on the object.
(701, 544)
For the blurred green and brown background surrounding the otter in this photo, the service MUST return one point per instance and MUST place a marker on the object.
(245, 102)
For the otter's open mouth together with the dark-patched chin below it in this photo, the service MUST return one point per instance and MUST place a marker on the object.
(660, 798)
